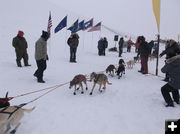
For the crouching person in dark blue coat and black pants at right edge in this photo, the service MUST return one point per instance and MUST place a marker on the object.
(172, 67)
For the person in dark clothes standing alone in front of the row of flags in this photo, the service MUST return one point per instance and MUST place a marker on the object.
(73, 42)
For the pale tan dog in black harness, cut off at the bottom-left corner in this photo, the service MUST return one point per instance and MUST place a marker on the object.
(10, 117)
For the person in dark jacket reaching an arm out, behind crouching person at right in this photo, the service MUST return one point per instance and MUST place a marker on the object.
(172, 49)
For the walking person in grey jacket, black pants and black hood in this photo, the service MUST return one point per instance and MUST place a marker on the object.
(41, 56)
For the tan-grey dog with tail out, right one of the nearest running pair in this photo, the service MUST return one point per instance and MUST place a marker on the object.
(100, 79)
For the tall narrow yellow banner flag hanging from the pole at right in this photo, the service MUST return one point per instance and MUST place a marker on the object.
(156, 10)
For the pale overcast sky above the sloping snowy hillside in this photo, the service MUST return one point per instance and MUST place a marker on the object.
(132, 16)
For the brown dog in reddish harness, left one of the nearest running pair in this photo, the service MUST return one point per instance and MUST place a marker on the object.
(78, 80)
